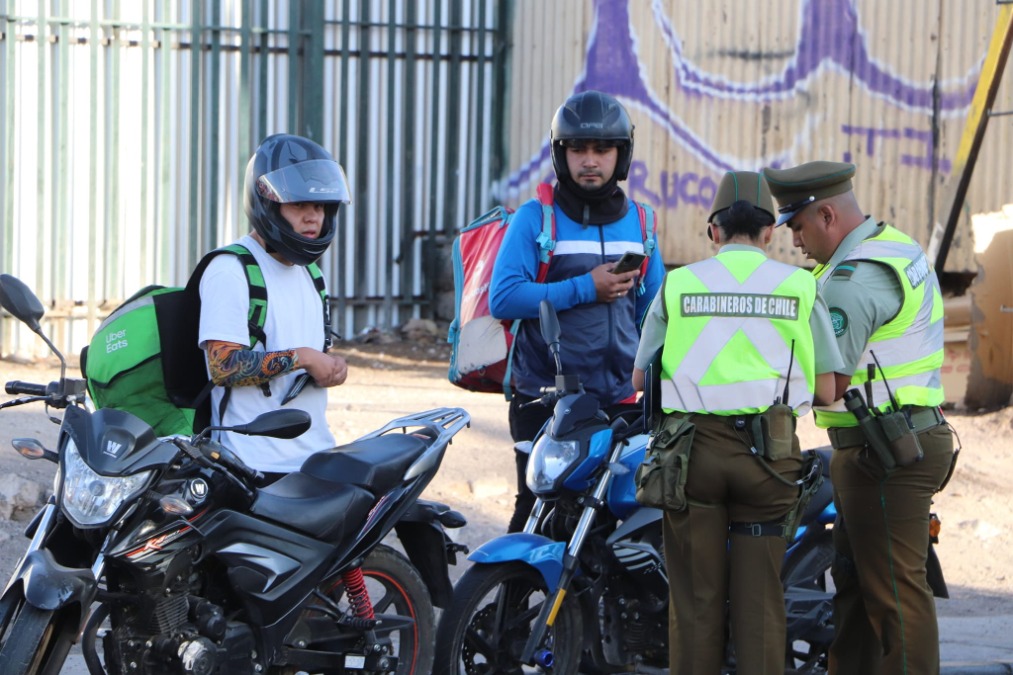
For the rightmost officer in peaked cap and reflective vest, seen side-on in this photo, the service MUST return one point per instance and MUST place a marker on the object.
(888, 315)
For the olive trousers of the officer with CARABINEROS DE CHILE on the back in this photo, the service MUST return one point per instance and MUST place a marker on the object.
(714, 574)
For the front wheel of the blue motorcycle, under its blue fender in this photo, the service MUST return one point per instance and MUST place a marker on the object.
(490, 621)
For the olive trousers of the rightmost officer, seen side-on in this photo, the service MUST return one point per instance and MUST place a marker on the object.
(885, 615)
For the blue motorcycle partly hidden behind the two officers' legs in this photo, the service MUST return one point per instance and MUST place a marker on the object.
(584, 588)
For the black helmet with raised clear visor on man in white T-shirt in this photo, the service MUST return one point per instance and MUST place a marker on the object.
(287, 170)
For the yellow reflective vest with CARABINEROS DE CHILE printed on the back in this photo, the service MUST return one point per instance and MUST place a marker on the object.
(738, 324)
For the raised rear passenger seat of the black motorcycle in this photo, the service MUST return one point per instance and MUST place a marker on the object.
(378, 465)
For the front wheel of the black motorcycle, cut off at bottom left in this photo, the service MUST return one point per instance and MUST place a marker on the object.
(33, 641)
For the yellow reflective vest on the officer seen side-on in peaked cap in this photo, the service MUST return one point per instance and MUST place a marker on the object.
(909, 347)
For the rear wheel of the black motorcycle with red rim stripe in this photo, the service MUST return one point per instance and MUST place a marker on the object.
(396, 587)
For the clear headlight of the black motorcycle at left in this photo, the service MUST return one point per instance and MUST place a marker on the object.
(92, 500)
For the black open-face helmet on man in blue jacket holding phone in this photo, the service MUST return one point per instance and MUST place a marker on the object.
(592, 116)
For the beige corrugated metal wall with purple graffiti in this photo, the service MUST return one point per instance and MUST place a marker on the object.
(715, 87)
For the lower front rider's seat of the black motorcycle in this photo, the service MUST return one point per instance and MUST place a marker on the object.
(321, 508)
